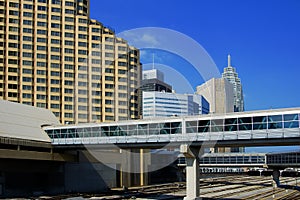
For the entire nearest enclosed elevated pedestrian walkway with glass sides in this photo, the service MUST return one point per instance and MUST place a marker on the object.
(258, 128)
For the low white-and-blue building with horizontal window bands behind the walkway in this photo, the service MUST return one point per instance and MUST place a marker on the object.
(161, 104)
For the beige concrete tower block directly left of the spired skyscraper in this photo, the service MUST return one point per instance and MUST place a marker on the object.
(219, 93)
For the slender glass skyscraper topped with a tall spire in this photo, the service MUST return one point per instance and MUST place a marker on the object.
(232, 76)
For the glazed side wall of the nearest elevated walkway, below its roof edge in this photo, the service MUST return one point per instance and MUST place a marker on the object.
(181, 130)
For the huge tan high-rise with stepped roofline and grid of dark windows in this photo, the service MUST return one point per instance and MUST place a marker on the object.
(52, 55)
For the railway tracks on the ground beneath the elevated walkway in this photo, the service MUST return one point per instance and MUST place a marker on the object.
(239, 187)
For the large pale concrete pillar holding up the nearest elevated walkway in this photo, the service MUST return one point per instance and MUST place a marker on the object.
(192, 171)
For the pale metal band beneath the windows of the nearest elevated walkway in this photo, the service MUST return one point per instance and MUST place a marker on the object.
(200, 137)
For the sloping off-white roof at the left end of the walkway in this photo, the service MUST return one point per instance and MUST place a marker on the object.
(24, 122)
